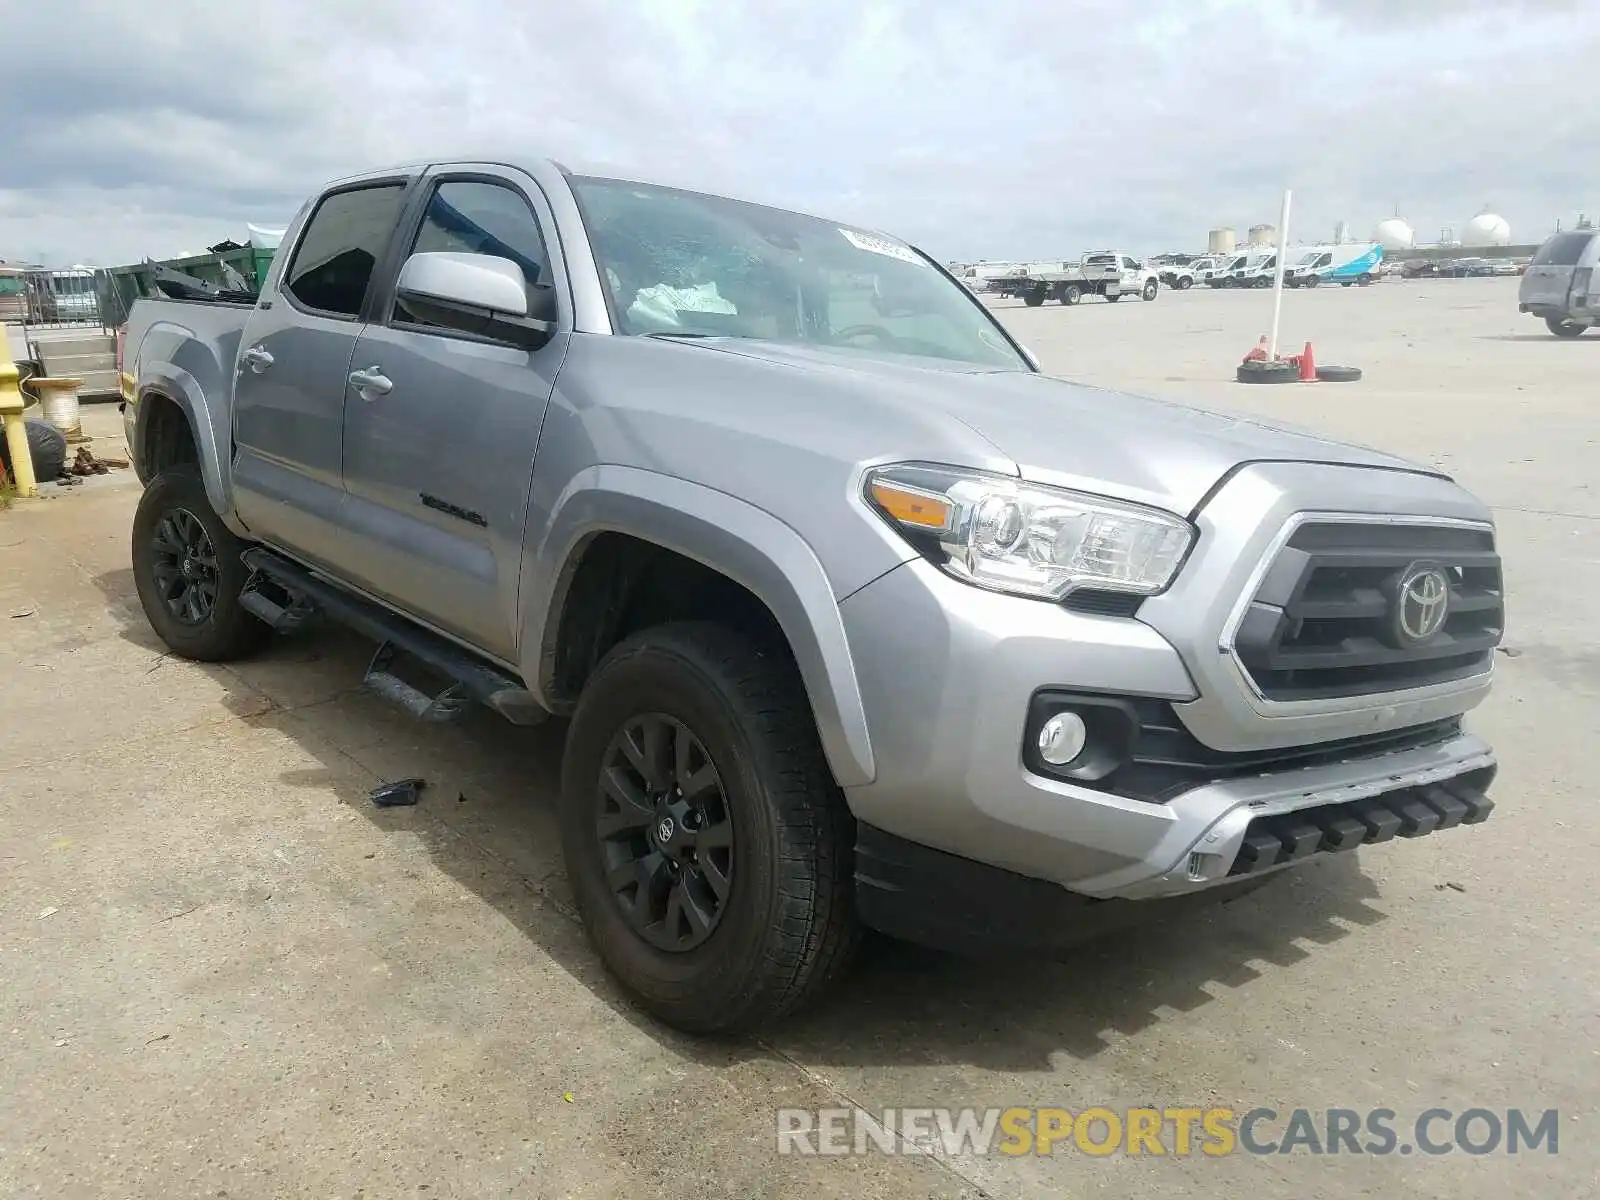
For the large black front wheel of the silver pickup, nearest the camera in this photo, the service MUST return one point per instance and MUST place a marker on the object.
(767, 919)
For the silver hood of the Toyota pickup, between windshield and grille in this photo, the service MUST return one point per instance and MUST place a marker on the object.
(1062, 433)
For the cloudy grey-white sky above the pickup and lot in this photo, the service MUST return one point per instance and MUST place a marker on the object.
(1014, 129)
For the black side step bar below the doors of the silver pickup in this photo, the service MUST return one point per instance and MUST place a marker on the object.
(473, 679)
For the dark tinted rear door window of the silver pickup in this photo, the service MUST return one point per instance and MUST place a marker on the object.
(343, 242)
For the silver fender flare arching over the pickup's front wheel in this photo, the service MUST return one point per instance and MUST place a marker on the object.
(742, 542)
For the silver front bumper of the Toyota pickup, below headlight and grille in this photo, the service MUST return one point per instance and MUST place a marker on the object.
(948, 674)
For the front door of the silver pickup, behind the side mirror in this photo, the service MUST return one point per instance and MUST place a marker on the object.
(439, 466)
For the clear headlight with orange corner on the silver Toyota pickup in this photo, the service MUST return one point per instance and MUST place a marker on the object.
(1028, 540)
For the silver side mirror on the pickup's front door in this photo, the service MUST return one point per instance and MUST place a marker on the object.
(481, 295)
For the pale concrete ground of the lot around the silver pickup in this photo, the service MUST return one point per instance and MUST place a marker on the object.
(225, 974)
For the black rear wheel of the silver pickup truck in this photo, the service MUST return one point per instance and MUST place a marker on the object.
(190, 574)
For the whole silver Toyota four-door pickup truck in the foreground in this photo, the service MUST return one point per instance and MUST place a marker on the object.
(857, 617)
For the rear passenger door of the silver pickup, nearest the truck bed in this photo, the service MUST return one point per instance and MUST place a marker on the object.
(295, 354)
